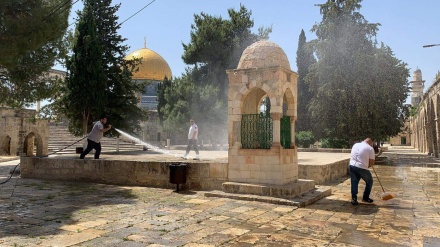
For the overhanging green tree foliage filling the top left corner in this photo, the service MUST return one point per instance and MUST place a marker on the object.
(31, 39)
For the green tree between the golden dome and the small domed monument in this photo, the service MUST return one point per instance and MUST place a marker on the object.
(216, 45)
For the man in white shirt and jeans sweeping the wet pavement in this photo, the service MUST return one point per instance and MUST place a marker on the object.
(362, 157)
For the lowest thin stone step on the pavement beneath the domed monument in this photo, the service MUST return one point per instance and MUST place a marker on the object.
(301, 201)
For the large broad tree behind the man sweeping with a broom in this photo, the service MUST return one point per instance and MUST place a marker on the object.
(358, 88)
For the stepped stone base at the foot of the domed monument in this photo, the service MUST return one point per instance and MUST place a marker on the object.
(300, 193)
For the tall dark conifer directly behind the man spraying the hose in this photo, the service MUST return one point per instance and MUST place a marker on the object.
(99, 78)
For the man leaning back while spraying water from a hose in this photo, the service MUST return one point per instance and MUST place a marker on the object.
(94, 137)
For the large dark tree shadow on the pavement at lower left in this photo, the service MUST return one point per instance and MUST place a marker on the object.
(30, 207)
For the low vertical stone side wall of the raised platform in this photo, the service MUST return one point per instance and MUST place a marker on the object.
(200, 176)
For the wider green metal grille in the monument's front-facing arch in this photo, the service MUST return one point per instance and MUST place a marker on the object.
(256, 131)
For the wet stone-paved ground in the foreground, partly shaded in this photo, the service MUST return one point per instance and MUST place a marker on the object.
(54, 213)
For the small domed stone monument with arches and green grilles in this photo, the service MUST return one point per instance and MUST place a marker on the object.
(262, 102)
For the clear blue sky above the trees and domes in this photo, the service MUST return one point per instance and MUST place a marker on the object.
(406, 26)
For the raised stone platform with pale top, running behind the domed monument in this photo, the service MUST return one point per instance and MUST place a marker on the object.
(149, 168)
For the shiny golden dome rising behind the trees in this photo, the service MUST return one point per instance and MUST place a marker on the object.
(153, 66)
